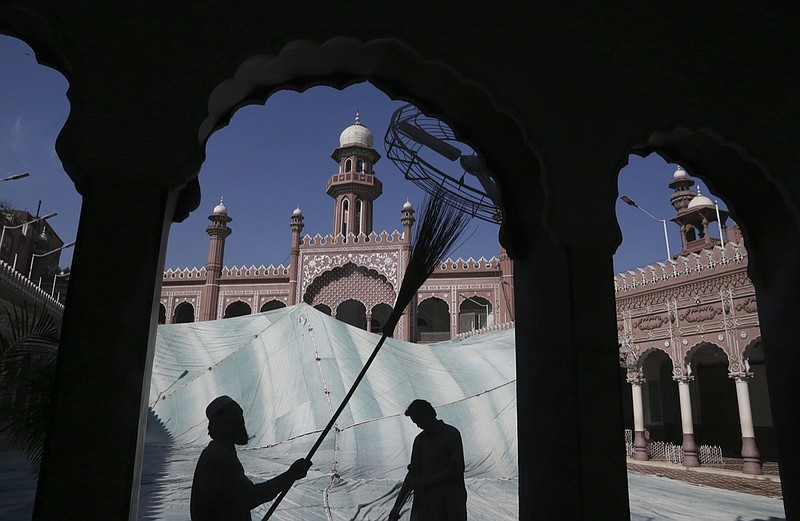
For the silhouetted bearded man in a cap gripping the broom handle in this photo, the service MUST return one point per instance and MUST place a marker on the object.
(220, 490)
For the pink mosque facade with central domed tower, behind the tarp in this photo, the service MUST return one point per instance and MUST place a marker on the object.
(353, 273)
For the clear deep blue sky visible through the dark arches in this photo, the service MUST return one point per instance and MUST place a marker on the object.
(266, 162)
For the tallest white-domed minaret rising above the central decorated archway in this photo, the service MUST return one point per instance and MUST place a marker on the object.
(354, 185)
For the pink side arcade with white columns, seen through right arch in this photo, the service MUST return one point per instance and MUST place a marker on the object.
(690, 343)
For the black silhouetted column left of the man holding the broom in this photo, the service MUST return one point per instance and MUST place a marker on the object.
(95, 438)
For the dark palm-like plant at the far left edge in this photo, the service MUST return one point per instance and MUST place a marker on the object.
(28, 350)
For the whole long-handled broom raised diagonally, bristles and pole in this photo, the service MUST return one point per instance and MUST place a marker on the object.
(439, 228)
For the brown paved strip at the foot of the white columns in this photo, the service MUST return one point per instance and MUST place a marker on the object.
(727, 476)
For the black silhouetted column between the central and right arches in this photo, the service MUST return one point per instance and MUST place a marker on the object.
(571, 451)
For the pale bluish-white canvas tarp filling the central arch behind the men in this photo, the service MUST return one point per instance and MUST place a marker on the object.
(289, 369)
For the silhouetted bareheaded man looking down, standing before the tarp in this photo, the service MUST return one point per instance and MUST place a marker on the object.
(436, 472)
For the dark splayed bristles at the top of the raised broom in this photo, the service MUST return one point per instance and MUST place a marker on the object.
(439, 227)
